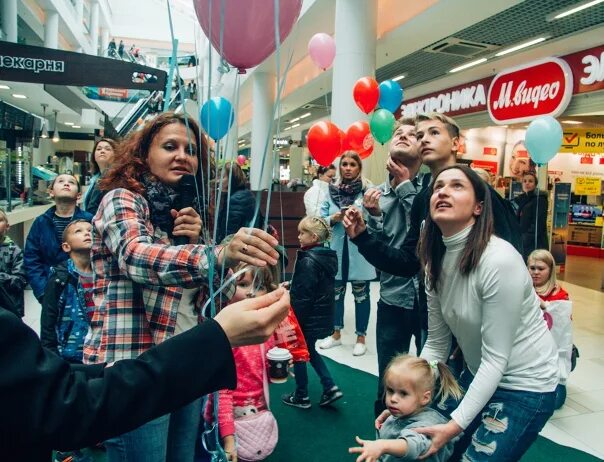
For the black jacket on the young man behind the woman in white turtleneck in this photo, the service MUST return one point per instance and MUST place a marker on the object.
(404, 261)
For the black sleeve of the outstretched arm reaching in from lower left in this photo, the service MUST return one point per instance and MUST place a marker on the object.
(48, 404)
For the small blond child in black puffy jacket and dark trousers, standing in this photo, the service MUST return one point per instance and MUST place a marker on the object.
(313, 300)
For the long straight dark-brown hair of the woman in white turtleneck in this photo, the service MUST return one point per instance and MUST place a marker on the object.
(431, 249)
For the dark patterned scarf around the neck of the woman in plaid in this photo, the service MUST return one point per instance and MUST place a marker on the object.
(163, 198)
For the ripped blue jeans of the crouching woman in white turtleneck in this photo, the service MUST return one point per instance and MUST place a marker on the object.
(506, 427)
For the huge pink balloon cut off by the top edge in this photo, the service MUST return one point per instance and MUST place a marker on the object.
(248, 28)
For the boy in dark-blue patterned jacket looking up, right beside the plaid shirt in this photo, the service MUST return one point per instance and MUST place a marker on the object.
(68, 296)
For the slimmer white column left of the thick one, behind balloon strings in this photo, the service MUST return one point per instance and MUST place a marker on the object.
(263, 97)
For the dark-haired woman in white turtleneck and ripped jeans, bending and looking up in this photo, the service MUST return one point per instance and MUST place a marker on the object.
(479, 291)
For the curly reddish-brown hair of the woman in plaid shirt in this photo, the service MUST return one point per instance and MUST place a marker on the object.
(132, 153)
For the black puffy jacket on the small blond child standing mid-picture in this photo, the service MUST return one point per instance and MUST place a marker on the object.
(313, 291)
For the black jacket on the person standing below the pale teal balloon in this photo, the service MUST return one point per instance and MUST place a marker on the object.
(531, 219)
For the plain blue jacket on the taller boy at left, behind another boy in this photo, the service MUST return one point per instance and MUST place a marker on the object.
(43, 249)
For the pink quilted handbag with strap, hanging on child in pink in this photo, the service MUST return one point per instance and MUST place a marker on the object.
(257, 434)
